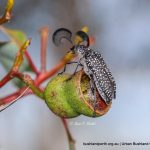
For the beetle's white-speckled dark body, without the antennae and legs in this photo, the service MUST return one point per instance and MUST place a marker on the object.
(97, 70)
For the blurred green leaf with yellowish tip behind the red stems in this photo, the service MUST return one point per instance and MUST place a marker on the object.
(8, 51)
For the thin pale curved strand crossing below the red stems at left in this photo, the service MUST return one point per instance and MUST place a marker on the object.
(15, 100)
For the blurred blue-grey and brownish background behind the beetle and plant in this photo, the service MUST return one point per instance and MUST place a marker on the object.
(122, 32)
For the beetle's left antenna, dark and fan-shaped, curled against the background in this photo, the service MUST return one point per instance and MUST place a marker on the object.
(60, 34)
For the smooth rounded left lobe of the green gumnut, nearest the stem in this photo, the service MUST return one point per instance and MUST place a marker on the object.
(55, 97)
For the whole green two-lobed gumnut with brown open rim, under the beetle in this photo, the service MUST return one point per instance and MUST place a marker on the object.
(73, 97)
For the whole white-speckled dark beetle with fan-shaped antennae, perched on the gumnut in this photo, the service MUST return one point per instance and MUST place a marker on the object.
(93, 64)
